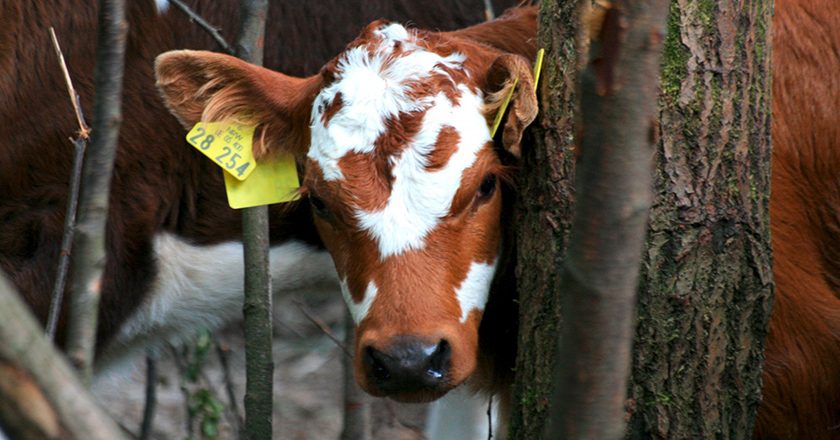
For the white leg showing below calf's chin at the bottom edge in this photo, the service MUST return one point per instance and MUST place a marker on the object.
(461, 414)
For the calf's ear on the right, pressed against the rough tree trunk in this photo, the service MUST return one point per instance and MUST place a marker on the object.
(511, 71)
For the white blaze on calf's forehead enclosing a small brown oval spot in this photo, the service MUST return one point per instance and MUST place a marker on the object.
(419, 197)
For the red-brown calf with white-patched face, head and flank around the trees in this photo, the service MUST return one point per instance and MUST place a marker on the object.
(410, 195)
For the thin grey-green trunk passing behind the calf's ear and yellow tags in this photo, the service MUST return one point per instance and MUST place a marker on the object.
(257, 306)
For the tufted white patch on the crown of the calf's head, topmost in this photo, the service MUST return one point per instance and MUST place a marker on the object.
(374, 87)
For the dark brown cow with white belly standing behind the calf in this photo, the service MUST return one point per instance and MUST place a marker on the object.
(174, 259)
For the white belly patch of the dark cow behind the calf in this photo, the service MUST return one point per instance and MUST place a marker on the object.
(202, 287)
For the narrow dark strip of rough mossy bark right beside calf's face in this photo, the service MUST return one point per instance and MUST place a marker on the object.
(544, 216)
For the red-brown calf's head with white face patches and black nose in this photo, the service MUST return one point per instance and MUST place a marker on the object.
(402, 176)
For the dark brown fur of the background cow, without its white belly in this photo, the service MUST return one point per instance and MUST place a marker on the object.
(159, 183)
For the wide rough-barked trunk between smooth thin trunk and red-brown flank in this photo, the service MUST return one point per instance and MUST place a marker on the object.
(706, 286)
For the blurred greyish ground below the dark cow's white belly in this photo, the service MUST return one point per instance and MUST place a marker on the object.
(308, 388)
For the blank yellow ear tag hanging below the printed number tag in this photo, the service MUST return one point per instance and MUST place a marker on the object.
(275, 181)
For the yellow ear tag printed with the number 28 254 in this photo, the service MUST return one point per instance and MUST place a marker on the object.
(227, 144)
